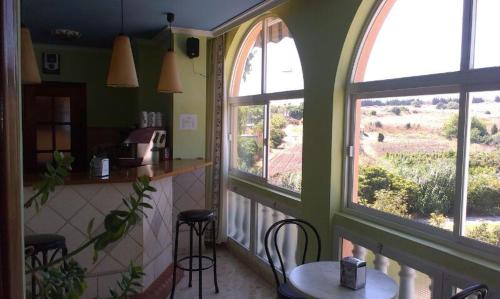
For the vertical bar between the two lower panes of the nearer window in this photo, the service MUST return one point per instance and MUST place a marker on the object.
(460, 204)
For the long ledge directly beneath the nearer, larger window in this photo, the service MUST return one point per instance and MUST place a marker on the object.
(443, 253)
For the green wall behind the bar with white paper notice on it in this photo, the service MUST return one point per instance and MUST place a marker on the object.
(119, 107)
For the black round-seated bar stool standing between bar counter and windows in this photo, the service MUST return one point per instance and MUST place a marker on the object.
(198, 221)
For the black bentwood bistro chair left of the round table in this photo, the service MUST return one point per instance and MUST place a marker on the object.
(284, 291)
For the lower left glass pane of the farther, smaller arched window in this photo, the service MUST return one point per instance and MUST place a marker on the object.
(248, 156)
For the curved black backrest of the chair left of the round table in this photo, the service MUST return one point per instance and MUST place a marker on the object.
(274, 230)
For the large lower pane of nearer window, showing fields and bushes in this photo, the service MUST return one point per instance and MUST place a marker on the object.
(405, 156)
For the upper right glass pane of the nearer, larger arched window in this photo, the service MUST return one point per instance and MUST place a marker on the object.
(487, 47)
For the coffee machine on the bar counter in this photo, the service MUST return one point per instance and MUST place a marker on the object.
(147, 147)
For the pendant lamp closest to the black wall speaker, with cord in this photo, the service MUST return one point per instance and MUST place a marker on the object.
(170, 81)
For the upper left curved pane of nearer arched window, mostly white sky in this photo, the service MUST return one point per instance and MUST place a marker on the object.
(410, 38)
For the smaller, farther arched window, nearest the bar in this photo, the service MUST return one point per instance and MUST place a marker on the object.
(266, 107)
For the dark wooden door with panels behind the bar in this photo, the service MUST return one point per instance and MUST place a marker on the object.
(54, 119)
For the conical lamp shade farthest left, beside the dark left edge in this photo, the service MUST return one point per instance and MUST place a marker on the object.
(29, 67)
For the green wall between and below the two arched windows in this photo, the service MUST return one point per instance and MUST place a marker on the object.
(326, 32)
